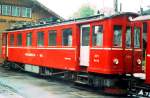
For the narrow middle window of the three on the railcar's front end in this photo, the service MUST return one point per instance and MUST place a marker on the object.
(128, 37)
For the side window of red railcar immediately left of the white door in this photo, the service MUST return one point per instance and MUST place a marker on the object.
(67, 37)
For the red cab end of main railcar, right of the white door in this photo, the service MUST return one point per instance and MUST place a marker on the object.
(115, 46)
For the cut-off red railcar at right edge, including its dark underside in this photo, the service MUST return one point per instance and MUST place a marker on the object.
(140, 85)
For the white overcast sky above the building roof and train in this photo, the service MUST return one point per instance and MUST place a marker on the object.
(66, 8)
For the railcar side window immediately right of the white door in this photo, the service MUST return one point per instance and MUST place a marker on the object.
(97, 38)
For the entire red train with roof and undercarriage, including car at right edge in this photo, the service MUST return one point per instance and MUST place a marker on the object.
(104, 52)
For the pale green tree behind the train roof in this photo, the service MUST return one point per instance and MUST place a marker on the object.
(84, 11)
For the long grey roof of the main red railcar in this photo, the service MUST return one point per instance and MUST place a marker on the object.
(77, 21)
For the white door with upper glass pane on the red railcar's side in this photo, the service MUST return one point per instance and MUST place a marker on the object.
(84, 45)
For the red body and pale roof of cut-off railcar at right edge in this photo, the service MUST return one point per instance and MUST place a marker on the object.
(145, 21)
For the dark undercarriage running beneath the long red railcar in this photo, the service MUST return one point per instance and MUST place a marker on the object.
(108, 84)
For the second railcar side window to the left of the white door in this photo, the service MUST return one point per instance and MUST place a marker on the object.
(52, 38)
